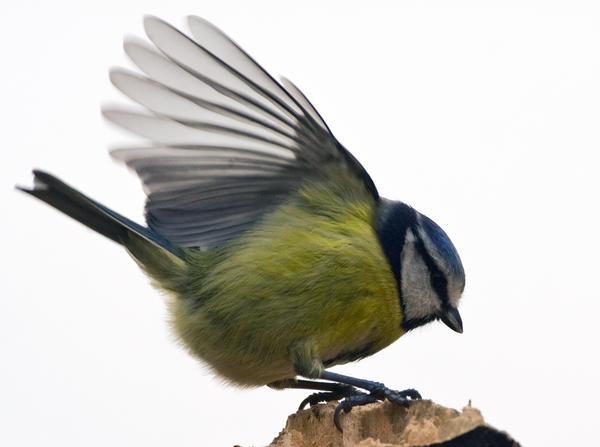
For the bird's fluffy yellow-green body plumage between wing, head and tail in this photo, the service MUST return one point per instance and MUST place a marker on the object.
(302, 285)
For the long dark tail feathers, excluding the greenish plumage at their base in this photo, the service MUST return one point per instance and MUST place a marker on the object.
(94, 215)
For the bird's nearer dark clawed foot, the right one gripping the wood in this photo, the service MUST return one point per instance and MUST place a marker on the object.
(377, 392)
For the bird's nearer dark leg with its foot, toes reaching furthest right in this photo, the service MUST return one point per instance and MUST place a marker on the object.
(377, 391)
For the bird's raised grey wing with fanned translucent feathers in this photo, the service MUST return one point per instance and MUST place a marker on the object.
(227, 143)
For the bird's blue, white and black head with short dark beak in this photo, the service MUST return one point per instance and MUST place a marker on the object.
(428, 270)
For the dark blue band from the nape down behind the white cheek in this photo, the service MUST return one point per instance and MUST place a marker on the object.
(393, 221)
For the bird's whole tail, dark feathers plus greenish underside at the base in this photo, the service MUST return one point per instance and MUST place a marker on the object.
(146, 246)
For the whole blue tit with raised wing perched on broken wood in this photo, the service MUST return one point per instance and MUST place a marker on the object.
(279, 257)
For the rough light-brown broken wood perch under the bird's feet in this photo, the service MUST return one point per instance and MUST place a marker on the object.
(383, 424)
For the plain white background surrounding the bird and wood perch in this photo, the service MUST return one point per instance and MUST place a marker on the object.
(483, 115)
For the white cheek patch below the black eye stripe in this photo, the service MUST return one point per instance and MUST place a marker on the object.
(419, 299)
